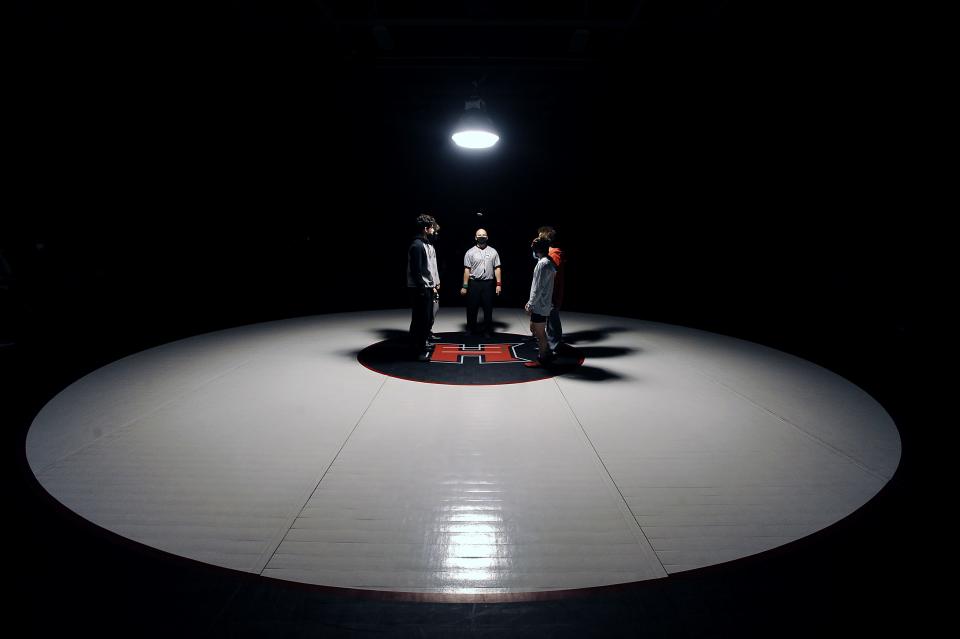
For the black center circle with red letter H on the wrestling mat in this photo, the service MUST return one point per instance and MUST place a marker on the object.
(467, 360)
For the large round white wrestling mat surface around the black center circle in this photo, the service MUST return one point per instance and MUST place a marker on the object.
(269, 449)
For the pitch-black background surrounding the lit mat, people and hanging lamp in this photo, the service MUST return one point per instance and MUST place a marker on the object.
(737, 169)
